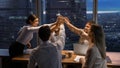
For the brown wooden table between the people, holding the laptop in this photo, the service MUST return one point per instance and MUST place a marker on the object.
(66, 60)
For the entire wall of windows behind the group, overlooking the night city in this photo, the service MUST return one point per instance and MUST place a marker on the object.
(13, 17)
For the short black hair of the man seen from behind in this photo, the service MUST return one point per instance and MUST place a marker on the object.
(44, 33)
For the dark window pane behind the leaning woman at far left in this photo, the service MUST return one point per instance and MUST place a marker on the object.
(13, 15)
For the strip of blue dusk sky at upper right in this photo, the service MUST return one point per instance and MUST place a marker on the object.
(105, 5)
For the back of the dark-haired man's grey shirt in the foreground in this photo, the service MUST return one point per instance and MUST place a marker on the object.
(46, 56)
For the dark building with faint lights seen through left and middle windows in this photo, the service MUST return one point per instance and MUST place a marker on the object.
(13, 17)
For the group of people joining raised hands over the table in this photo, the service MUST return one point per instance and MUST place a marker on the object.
(52, 41)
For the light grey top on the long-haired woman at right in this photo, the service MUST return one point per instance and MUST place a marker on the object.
(94, 59)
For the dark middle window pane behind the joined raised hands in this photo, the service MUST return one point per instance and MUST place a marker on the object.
(75, 10)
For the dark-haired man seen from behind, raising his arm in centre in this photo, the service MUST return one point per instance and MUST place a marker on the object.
(48, 54)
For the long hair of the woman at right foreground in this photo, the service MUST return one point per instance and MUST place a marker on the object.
(99, 39)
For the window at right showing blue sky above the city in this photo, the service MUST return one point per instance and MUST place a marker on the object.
(108, 17)
